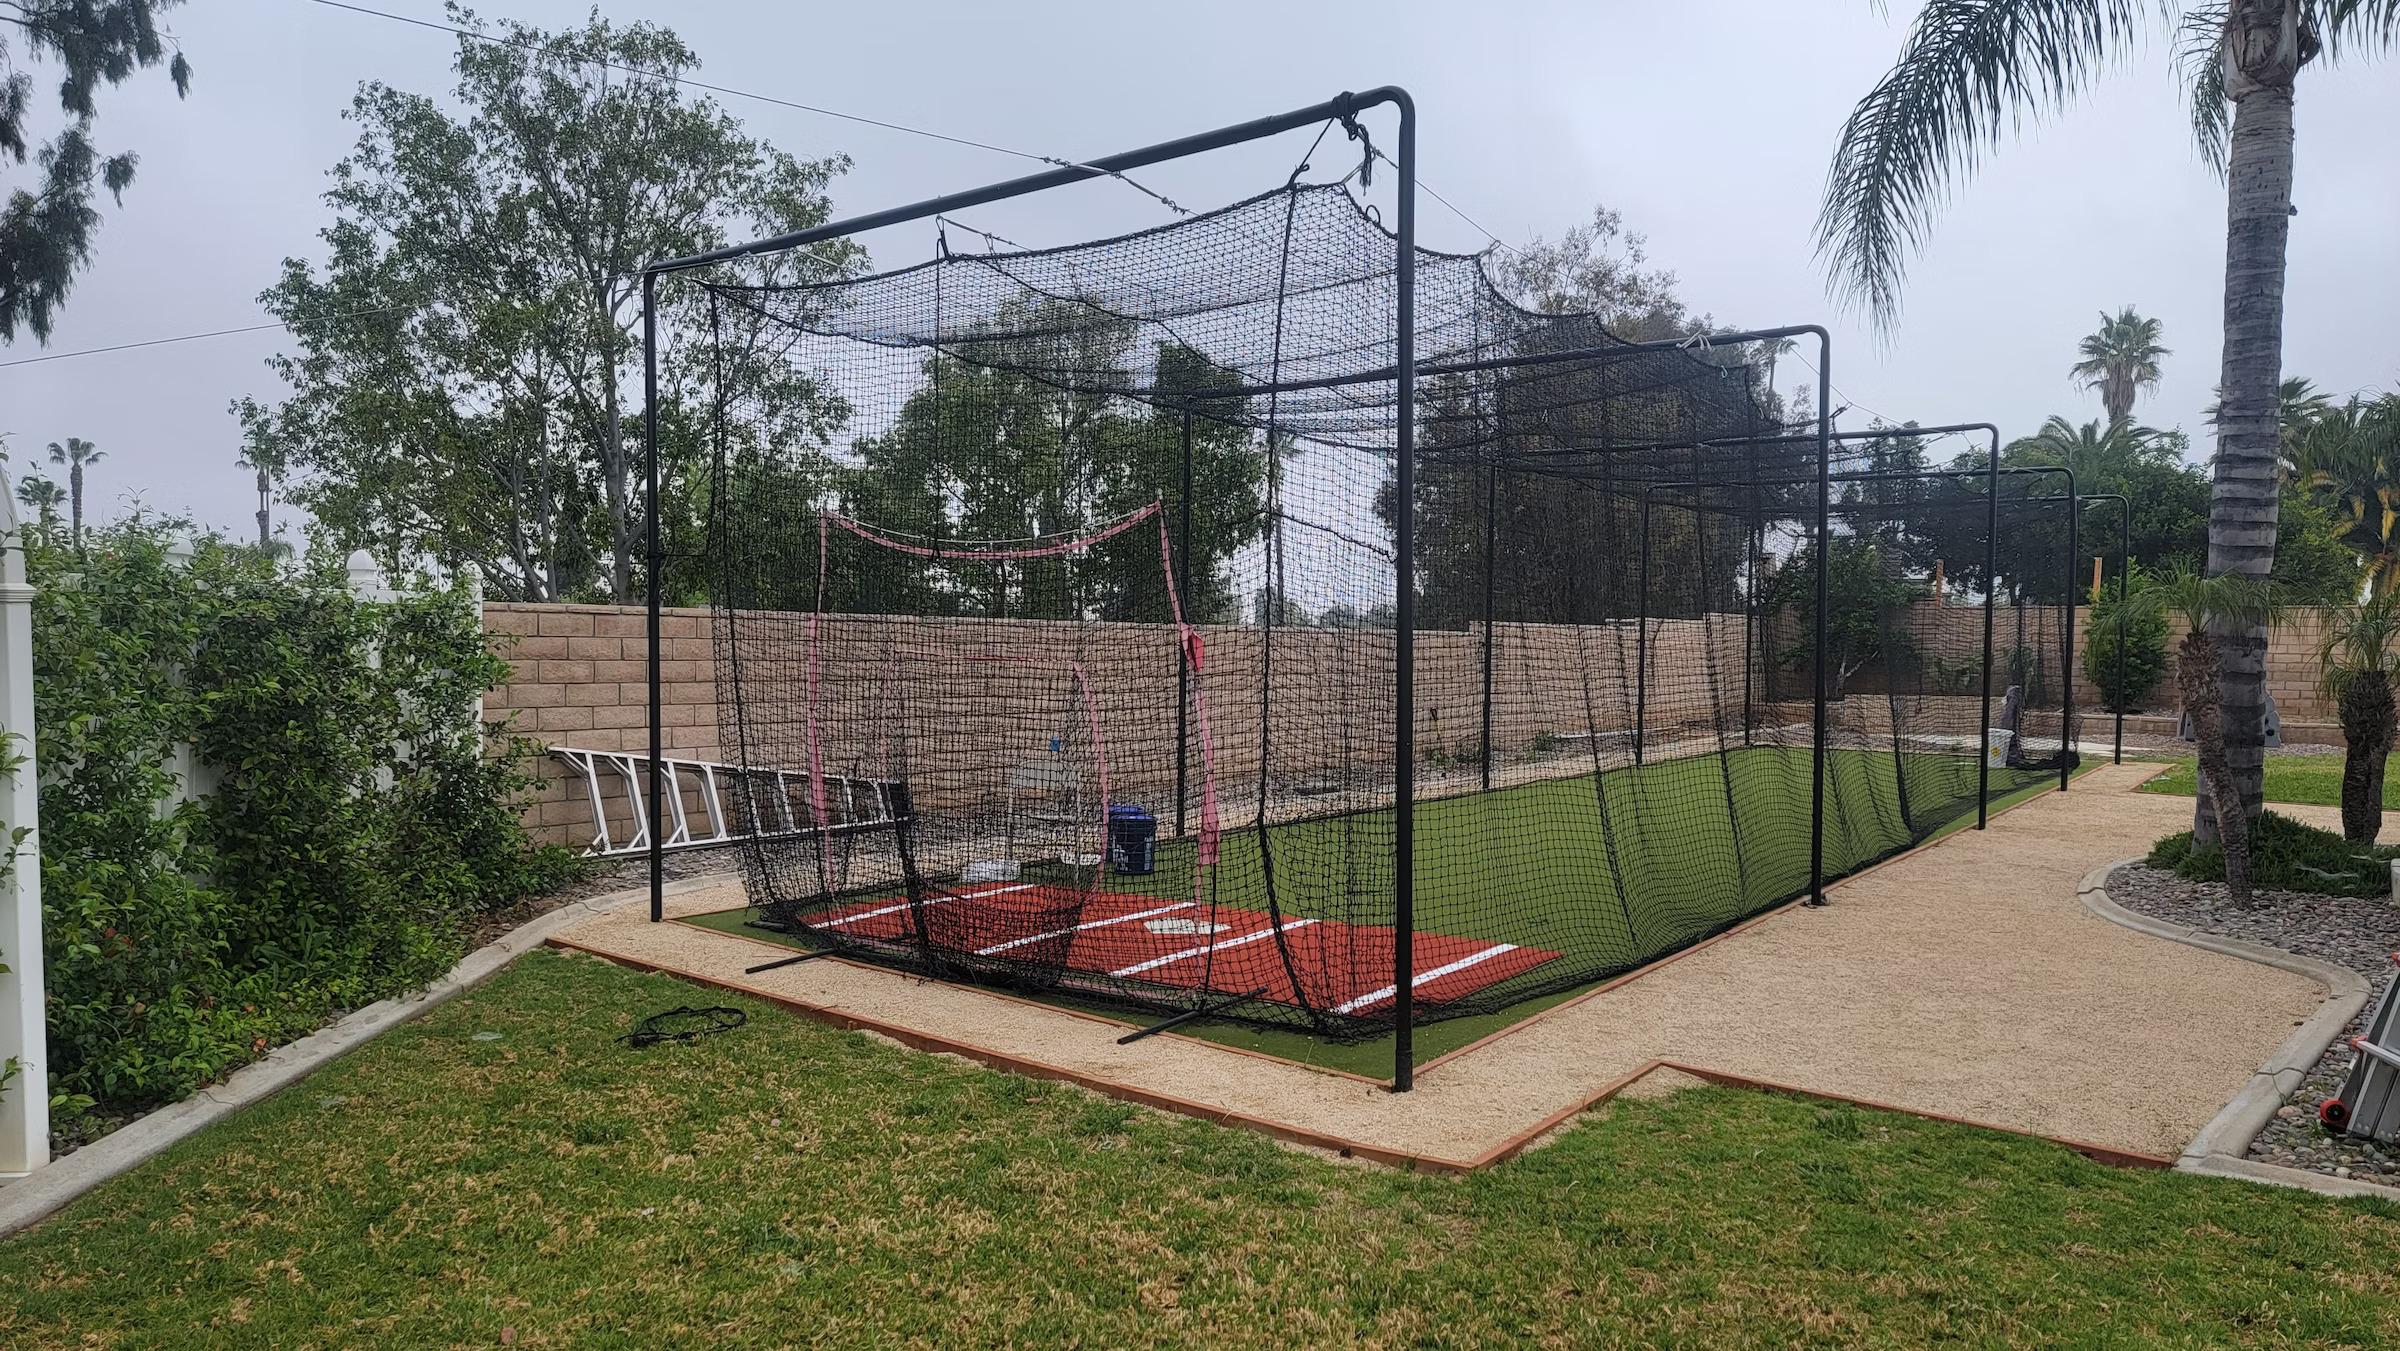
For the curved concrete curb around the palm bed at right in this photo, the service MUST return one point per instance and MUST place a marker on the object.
(2221, 1146)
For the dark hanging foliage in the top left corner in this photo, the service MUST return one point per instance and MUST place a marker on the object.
(49, 222)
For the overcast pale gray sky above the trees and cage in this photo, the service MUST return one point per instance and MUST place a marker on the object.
(1708, 126)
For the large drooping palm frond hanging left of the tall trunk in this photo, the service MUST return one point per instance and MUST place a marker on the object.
(1972, 73)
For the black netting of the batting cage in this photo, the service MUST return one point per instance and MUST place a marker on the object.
(1057, 625)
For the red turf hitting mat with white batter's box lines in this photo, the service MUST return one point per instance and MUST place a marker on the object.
(1338, 968)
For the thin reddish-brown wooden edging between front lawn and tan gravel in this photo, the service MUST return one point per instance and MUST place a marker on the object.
(1300, 1134)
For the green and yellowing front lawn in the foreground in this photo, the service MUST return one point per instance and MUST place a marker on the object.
(508, 1172)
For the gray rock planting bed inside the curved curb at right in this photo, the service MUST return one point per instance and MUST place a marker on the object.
(2348, 932)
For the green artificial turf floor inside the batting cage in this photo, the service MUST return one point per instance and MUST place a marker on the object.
(1525, 865)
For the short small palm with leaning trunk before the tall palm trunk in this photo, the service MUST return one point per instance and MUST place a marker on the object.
(2212, 606)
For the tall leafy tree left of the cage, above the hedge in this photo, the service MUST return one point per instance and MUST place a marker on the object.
(488, 414)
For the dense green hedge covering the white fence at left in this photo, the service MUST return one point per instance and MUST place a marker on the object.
(340, 834)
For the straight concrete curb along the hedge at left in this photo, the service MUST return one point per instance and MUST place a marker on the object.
(47, 1189)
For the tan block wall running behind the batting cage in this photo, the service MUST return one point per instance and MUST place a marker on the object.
(580, 680)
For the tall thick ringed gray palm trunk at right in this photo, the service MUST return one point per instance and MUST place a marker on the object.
(2262, 61)
